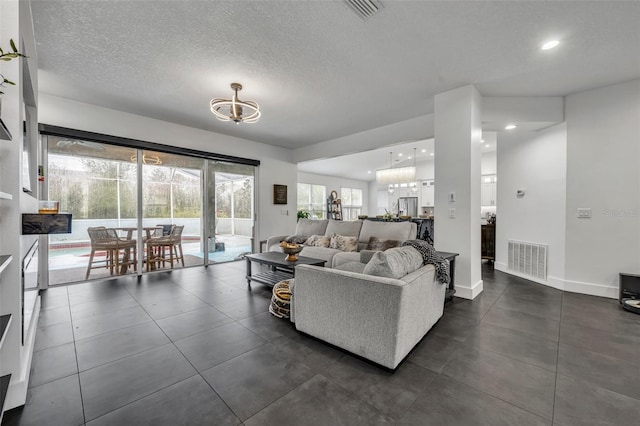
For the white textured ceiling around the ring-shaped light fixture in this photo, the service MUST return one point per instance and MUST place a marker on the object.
(317, 70)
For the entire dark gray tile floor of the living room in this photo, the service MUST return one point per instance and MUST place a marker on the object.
(193, 346)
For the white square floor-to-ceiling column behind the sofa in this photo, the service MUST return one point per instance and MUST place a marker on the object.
(458, 130)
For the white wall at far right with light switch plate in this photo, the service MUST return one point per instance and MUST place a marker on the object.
(603, 173)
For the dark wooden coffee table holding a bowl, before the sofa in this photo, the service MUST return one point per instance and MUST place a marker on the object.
(279, 268)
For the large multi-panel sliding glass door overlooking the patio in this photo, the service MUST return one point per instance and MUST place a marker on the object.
(145, 198)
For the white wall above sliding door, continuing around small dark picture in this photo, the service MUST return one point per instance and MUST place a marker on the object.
(275, 163)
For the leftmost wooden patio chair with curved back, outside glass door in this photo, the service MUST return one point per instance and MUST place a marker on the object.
(107, 240)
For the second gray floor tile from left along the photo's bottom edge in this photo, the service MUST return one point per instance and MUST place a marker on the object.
(190, 402)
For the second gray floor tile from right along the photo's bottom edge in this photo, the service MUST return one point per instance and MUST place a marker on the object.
(447, 402)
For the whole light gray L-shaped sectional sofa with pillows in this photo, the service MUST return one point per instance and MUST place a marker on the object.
(375, 304)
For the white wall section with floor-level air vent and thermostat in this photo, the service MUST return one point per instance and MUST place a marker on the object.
(535, 162)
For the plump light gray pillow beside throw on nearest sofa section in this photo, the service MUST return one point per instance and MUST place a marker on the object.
(394, 263)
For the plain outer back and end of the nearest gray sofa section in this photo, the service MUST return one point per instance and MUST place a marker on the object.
(378, 318)
